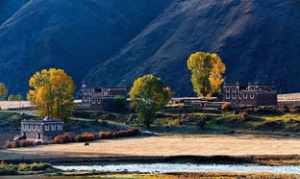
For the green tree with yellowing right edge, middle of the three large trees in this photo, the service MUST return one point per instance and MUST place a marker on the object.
(148, 95)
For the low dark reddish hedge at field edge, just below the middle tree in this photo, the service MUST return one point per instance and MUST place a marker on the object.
(119, 134)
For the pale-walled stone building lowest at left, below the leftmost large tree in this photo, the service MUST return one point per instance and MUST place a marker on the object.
(41, 130)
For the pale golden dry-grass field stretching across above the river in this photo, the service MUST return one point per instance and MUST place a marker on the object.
(202, 145)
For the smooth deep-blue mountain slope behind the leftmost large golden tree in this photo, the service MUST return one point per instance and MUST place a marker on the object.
(74, 35)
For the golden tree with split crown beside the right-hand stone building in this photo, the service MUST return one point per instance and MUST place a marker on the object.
(207, 71)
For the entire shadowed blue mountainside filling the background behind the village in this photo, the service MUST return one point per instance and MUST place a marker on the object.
(112, 42)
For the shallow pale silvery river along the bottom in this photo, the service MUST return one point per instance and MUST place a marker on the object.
(169, 168)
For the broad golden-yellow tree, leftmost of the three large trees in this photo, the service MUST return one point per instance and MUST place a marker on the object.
(52, 92)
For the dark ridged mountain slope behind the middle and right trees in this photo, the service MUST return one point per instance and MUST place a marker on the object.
(258, 40)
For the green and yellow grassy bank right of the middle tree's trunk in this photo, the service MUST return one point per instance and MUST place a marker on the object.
(286, 124)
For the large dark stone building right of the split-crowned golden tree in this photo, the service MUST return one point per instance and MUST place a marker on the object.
(251, 95)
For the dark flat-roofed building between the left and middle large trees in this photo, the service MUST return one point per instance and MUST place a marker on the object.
(101, 98)
